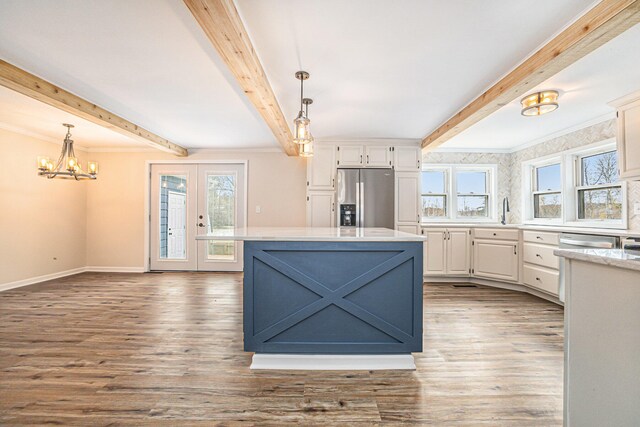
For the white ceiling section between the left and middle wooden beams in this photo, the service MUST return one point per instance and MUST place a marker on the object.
(147, 61)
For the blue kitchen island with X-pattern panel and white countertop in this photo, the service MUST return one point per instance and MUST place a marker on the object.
(331, 298)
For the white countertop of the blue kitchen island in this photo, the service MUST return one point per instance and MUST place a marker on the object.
(314, 234)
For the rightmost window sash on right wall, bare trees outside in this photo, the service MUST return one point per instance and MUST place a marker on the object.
(599, 193)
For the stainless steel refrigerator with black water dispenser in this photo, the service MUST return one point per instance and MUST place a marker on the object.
(365, 198)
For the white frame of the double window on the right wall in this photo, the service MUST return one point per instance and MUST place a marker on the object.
(571, 175)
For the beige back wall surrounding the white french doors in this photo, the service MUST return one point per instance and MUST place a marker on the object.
(116, 203)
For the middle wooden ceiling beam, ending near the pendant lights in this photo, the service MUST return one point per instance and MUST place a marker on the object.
(220, 21)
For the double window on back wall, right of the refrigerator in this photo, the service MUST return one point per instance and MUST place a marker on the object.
(457, 192)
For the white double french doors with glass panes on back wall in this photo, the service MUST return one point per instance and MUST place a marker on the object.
(192, 199)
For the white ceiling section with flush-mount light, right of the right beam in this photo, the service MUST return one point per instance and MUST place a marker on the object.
(585, 87)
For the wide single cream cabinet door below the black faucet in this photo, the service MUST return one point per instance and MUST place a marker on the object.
(496, 259)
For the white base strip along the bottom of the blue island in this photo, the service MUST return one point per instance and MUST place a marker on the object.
(333, 362)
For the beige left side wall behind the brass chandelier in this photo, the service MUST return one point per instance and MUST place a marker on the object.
(42, 222)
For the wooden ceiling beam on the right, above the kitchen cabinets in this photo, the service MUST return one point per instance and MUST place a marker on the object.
(603, 22)
